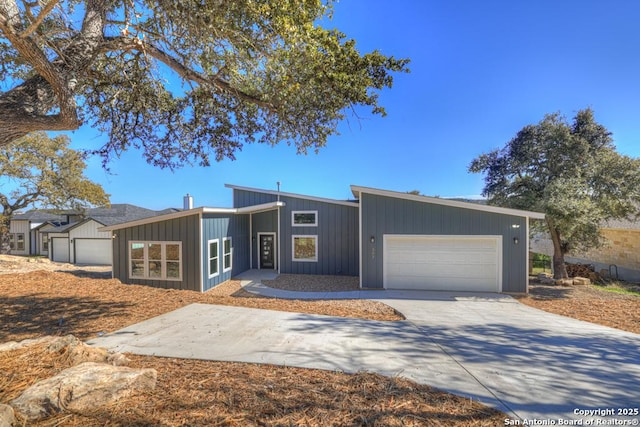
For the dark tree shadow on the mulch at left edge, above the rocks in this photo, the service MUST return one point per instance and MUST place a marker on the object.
(35, 315)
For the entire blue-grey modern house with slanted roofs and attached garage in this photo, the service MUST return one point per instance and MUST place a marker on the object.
(388, 239)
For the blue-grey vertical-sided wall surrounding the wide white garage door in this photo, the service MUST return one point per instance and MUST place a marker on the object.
(385, 215)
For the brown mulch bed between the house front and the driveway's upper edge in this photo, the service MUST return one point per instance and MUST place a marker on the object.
(53, 303)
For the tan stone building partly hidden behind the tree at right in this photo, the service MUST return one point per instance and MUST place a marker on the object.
(619, 256)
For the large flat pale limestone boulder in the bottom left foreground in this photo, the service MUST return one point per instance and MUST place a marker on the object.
(82, 389)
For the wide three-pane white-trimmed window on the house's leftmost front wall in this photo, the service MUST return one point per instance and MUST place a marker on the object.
(155, 260)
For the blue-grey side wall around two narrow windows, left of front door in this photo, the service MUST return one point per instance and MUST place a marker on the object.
(220, 226)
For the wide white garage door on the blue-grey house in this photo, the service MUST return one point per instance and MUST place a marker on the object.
(444, 263)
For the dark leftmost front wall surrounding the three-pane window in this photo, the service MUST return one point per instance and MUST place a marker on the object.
(185, 229)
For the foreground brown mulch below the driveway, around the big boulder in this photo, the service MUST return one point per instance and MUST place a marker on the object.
(199, 393)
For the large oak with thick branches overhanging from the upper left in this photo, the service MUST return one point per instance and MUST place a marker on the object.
(184, 80)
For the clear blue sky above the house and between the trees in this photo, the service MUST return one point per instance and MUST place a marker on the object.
(480, 71)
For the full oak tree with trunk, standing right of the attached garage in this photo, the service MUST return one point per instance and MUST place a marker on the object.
(569, 171)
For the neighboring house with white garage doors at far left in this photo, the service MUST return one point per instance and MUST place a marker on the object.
(72, 237)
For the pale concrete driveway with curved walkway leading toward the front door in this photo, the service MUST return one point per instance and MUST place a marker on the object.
(528, 363)
